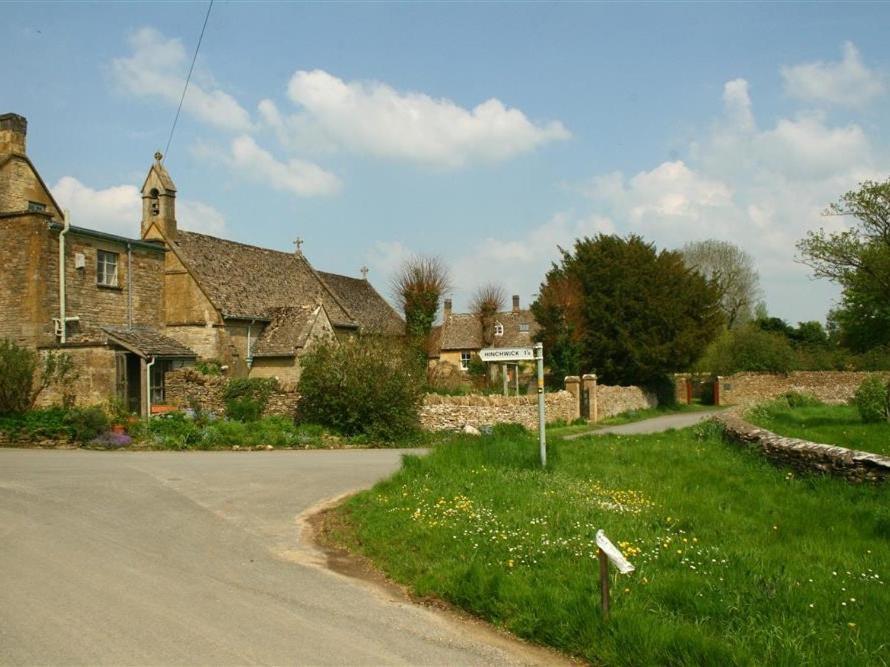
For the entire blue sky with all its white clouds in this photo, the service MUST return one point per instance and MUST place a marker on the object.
(488, 134)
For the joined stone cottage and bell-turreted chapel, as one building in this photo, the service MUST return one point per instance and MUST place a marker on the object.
(128, 310)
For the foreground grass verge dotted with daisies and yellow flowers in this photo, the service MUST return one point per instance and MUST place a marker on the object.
(738, 562)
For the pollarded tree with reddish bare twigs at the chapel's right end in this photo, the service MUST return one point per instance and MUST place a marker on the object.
(418, 287)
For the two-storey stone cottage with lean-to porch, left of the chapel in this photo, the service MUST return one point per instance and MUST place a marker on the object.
(97, 296)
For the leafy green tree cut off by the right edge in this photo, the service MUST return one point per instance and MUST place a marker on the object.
(858, 259)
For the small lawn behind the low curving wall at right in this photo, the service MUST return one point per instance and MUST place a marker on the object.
(829, 424)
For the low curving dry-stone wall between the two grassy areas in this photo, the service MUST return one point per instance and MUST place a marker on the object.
(851, 464)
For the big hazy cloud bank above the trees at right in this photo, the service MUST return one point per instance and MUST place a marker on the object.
(781, 180)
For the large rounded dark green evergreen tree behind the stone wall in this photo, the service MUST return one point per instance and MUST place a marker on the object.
(620, 308)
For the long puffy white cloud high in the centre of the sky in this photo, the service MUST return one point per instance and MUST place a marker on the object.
(375, 119)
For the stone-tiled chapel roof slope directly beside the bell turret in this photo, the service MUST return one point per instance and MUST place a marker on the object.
(248, 282)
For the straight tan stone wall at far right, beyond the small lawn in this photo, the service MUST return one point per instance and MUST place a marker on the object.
(752, 388)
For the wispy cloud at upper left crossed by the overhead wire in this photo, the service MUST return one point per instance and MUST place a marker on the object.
(157, 67)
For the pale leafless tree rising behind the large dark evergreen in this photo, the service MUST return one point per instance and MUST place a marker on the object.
(731, 270)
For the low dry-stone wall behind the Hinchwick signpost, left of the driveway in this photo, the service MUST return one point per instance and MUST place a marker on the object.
(441, 413)
